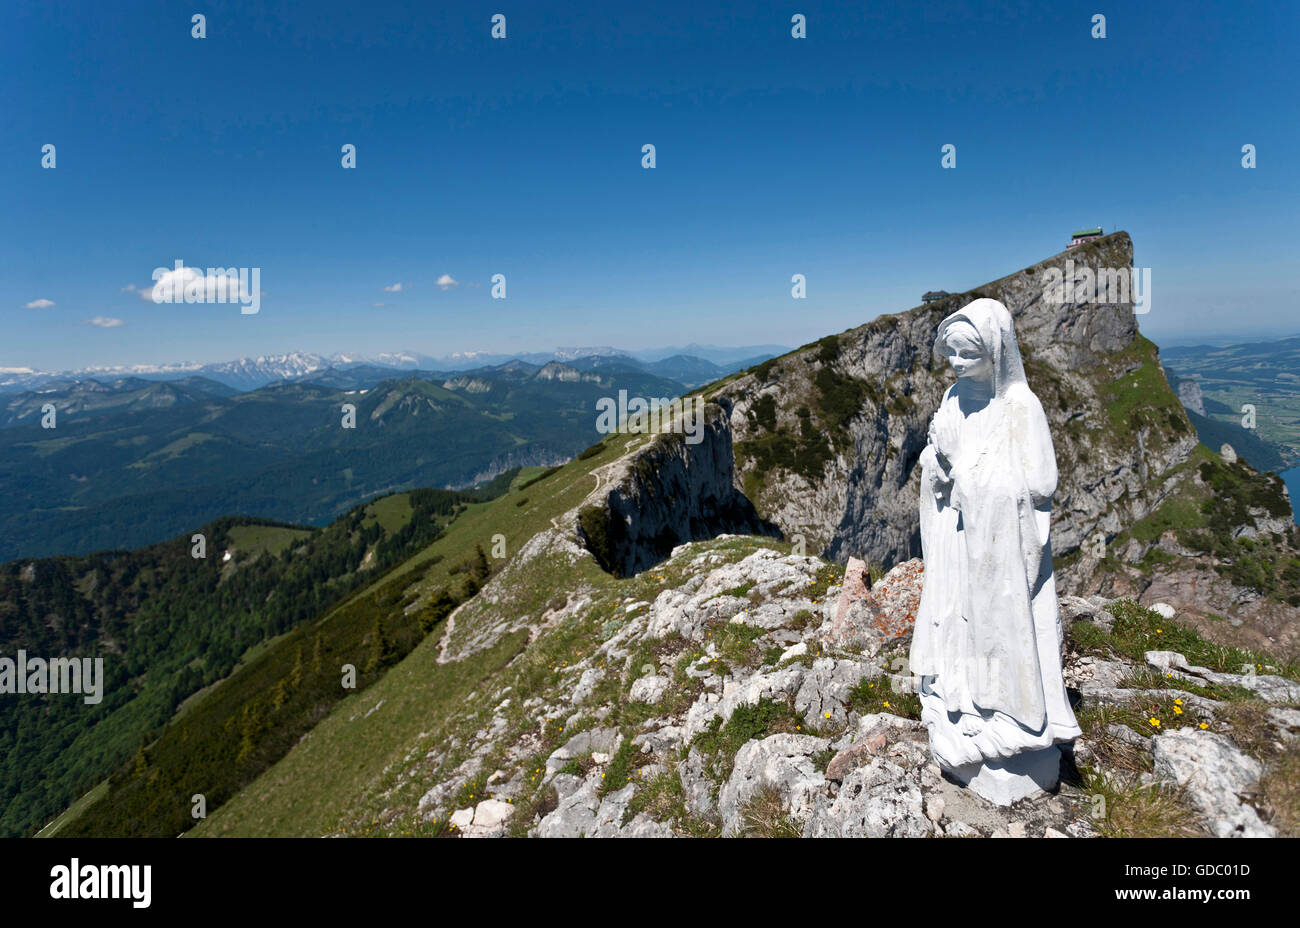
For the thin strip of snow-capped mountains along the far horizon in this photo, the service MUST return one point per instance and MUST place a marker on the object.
(695, 365)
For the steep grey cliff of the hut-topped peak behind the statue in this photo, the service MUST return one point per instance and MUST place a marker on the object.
(827, 440)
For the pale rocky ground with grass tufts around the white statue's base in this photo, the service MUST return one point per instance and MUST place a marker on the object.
(739, 690)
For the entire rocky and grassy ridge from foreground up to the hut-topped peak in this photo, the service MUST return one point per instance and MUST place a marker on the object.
(627, 670)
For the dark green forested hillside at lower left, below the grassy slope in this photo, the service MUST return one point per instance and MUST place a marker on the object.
(167, 626)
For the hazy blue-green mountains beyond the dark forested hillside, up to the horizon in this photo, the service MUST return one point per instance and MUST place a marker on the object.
(136, 459)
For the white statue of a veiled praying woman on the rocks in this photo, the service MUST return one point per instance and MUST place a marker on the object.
(987, 641)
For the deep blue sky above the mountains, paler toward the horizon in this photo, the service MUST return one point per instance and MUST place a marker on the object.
(523, 157)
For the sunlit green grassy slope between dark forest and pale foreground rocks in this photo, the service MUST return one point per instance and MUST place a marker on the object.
(427, 709)
